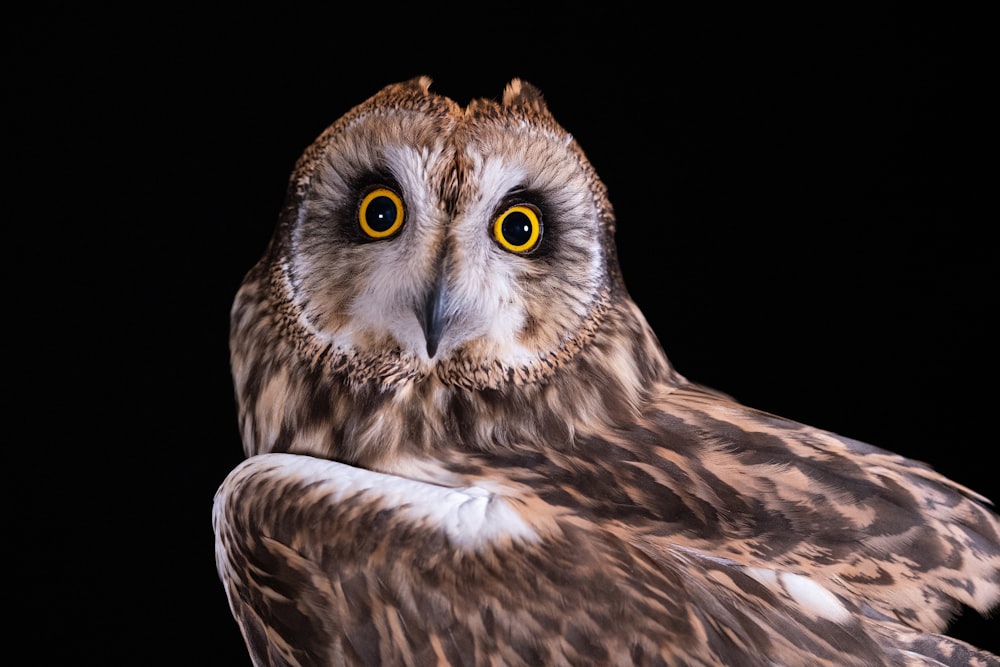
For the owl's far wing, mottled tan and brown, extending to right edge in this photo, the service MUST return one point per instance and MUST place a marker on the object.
(883, 528)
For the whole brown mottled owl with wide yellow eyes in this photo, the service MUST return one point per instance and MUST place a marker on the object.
(466, 446)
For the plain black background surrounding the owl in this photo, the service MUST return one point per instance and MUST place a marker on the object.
(802, 210)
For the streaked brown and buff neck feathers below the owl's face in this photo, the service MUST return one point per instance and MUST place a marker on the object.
(296, 399)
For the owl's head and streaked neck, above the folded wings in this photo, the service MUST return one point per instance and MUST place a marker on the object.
(430, 255)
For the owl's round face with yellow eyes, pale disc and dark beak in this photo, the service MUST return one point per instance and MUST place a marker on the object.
(467, 242)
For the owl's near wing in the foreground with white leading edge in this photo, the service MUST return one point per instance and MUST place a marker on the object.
(325, 564)
